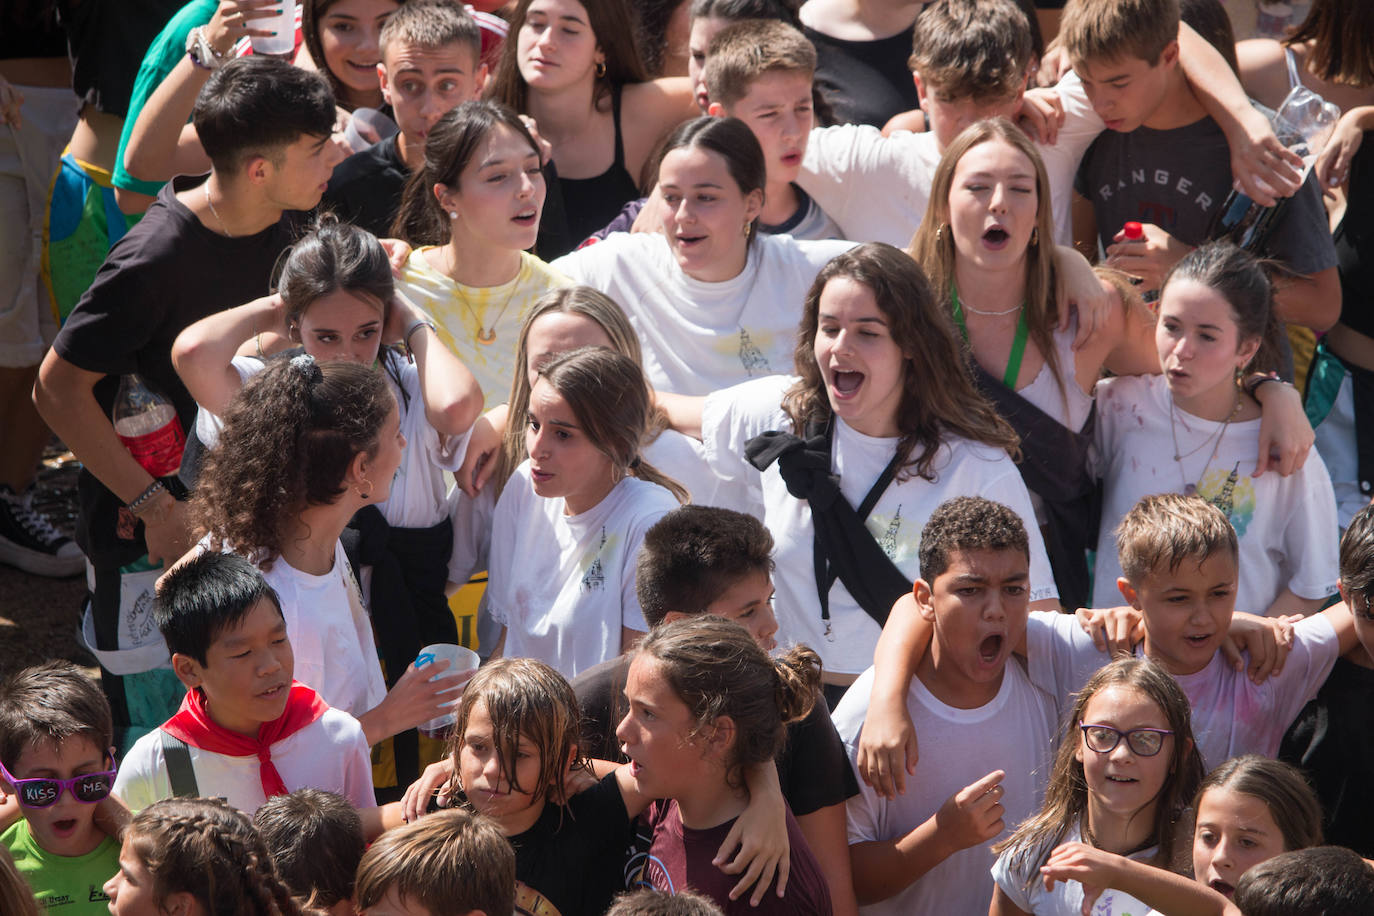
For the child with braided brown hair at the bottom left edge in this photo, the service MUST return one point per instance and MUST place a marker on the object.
(200, 858)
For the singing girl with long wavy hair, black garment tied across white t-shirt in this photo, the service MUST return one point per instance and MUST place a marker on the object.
(881, 400)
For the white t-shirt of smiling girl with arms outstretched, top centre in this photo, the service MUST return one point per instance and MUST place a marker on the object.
(700, 337)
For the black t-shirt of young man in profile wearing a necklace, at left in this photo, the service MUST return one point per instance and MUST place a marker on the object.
(164, 275)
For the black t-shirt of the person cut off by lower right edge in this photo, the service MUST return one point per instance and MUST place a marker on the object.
(1332, 741)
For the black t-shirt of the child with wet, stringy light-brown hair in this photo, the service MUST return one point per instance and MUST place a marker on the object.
(572, 862)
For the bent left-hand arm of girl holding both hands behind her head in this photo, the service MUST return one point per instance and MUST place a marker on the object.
(204, 352)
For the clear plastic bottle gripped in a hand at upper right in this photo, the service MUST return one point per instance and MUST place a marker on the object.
(1303, 124)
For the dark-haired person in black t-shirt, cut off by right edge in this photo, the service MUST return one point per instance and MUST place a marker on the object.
(1329, 740)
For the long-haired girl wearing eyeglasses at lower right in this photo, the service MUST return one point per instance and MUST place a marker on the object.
(1120, 783)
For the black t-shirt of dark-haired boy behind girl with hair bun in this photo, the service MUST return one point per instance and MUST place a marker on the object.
(813, 767)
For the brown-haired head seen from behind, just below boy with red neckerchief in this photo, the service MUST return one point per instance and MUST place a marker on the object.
(317, 844)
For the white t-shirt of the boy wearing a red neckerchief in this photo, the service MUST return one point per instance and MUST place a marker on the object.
(330, 755)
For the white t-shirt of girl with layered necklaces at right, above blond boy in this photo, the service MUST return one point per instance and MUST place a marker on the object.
(1285, 525)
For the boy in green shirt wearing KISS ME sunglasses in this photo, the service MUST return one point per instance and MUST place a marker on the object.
(57, 759)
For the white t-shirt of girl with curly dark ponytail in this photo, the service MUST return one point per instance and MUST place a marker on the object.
(332, 634)
